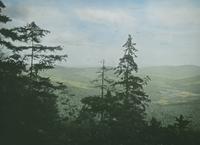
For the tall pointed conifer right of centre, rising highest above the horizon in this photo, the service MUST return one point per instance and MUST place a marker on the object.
(130, 86)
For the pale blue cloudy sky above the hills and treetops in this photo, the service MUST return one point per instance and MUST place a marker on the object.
(166, 32)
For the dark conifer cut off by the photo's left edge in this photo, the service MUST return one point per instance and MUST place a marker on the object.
(11, 67)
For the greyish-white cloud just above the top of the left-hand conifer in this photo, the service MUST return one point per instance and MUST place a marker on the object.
(49, 17)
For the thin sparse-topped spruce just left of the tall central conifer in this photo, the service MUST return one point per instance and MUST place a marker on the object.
(94, 117)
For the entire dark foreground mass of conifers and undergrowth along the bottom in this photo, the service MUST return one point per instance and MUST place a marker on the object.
(28, 101)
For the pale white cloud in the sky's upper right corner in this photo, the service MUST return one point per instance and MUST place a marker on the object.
(173, 15)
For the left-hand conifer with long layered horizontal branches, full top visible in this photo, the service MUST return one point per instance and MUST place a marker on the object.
(41, 91)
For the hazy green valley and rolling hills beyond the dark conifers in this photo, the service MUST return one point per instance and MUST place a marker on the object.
(173, 89)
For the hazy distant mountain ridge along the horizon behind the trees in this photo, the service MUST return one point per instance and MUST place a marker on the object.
(170, 72)
